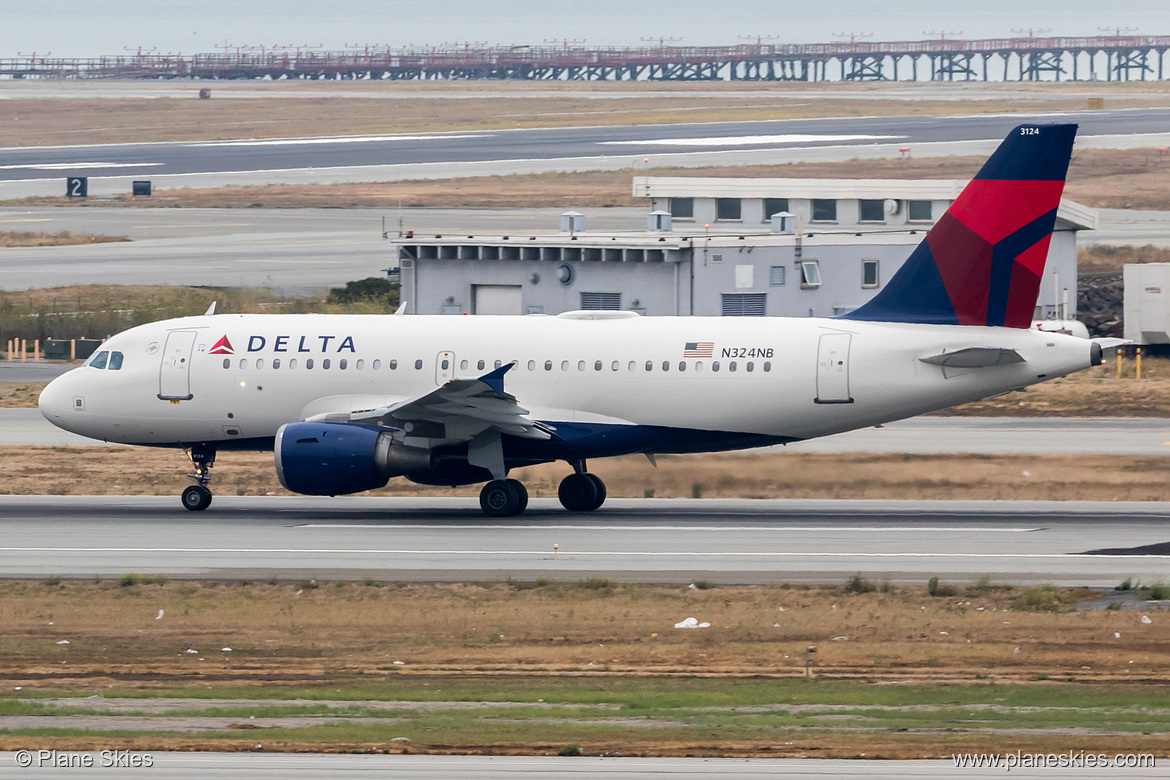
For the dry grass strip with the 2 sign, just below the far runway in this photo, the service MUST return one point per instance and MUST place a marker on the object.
(1099, 178)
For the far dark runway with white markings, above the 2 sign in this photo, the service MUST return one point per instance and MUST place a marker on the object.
(112, 168)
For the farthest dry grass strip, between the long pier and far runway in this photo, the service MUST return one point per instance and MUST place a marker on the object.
(254, 112)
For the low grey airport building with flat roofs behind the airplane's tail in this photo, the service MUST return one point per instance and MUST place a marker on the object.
(713, 247)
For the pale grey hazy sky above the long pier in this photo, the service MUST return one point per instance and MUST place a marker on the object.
(95, 27)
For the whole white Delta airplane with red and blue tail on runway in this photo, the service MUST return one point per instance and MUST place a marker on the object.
(347, 403)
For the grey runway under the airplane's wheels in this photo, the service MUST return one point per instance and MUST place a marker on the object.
(659, 541)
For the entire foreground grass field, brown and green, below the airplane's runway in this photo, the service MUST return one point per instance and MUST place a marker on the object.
(531, 668)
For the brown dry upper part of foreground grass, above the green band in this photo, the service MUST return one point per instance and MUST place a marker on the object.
(290, 633)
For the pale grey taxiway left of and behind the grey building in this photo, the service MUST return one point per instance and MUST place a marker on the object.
(299, 251)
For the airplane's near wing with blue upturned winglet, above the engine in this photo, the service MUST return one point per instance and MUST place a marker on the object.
(456, 412)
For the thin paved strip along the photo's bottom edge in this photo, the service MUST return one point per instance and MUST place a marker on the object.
(249, 767)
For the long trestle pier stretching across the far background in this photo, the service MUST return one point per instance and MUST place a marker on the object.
(1111, 58)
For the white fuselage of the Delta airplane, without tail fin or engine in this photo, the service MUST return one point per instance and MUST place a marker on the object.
(793, 377)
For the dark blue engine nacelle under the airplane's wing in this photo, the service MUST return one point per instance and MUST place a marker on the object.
(333, 459)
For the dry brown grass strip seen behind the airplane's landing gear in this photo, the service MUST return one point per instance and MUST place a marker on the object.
(143, 472)
